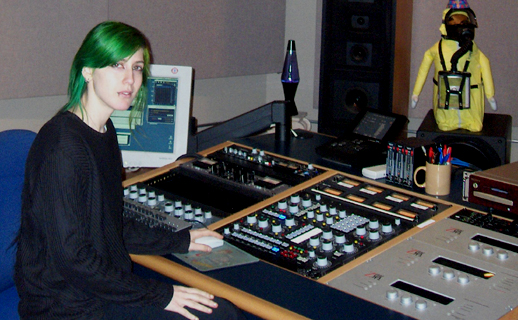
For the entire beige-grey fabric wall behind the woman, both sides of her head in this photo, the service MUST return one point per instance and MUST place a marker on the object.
(219, 38)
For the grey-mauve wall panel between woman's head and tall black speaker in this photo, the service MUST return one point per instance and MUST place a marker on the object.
(220, 38)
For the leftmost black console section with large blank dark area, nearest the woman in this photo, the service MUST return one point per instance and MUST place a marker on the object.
(203, 191)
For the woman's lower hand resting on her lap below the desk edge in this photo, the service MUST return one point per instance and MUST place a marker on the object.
(192, 298)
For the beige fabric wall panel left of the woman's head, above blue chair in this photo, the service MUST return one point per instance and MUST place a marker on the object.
(39, 41)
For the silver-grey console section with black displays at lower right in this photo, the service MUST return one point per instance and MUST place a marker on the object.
(454, 269)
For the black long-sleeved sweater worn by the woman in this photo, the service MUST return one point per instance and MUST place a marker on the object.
(73, 244)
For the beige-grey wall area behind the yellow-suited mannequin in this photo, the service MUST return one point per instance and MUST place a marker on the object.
(495, 37)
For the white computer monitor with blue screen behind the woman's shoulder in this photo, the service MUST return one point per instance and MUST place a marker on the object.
(160, 135)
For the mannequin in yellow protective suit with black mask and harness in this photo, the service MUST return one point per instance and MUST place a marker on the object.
(457, 55)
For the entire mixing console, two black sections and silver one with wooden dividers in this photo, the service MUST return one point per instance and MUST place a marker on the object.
(315, 222)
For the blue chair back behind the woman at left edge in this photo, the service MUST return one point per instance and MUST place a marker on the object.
(14, 147)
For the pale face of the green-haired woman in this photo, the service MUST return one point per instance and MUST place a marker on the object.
(115, 87)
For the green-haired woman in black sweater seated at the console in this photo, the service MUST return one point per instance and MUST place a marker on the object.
(72, 259)
